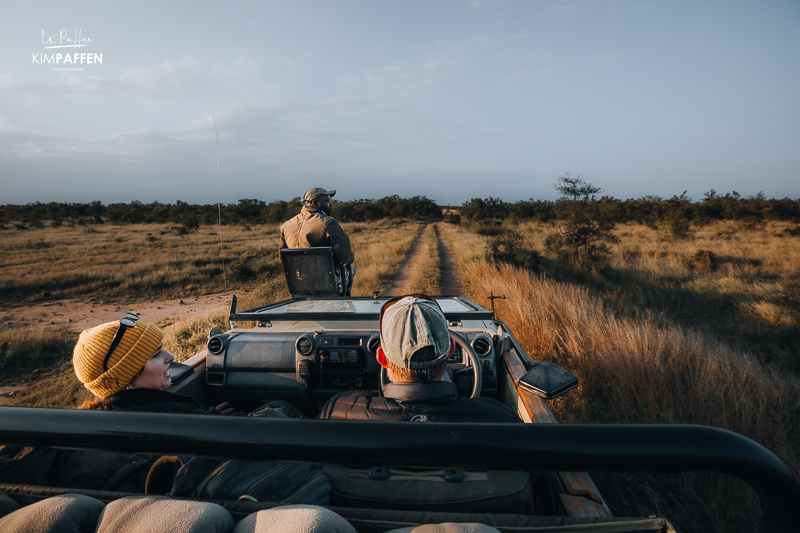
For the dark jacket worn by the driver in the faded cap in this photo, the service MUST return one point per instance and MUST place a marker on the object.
(436, 401)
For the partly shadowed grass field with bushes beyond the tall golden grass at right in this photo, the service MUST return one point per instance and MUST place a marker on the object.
(741, 286)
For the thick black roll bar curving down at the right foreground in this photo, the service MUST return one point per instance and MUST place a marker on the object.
(562, 447)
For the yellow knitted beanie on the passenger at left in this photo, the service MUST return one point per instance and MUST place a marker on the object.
(137, 346)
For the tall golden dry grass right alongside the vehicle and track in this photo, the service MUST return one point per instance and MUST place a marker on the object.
(638, 368)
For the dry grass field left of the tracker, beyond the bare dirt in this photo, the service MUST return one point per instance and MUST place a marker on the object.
(133, 260)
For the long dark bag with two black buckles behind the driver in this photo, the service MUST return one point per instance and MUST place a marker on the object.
(446, 490)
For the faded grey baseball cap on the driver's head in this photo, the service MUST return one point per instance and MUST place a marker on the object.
(410, 325)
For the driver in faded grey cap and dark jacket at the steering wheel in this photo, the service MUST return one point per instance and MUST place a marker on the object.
(415, 345)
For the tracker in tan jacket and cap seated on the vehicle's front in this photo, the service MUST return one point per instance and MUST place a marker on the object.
(314, 226)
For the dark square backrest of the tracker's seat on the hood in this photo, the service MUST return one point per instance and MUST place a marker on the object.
(310, 271)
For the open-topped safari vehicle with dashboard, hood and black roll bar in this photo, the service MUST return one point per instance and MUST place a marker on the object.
(306, 349)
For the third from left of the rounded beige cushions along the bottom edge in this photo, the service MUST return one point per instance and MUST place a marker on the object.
(294, 519)
